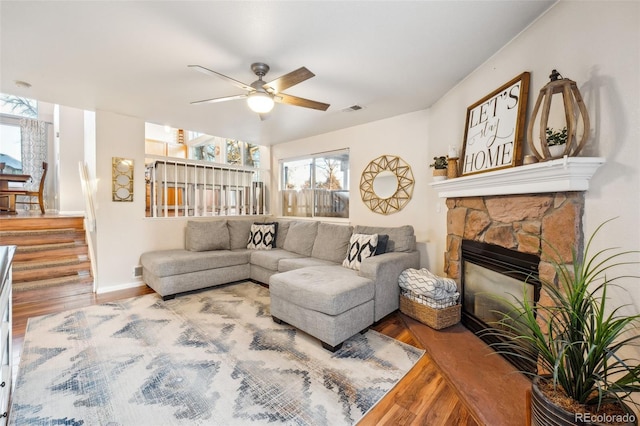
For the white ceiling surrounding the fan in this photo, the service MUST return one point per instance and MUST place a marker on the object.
(391, 57)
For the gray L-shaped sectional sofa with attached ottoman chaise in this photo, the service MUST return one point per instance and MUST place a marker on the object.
(309, 286)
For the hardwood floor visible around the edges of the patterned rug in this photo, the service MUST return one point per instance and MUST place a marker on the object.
(423, 397)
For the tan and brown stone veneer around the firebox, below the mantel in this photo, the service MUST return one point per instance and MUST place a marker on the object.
(525, 223)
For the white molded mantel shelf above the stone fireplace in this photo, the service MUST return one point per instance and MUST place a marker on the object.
(563, 174)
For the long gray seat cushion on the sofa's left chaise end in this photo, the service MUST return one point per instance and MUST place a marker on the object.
(165, 263)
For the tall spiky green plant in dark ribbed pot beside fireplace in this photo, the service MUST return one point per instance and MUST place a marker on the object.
(584, 375)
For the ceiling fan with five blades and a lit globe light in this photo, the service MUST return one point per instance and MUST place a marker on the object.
(262, 95)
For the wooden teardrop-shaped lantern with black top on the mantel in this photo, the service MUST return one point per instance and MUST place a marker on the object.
(574, 109)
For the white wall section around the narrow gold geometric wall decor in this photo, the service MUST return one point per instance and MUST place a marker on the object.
(123, 233)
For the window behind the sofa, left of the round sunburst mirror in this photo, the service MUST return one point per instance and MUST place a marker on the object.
(316, 186)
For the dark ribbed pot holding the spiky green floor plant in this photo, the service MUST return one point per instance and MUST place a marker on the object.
(544, 412)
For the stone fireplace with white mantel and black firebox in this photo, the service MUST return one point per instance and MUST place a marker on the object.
(519, 213)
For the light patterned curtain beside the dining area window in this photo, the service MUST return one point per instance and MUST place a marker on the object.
(34, 150)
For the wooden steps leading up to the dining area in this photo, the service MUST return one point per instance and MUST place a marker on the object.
(51, 258)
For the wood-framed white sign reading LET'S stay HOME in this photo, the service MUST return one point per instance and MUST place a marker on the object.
(495, 127)
